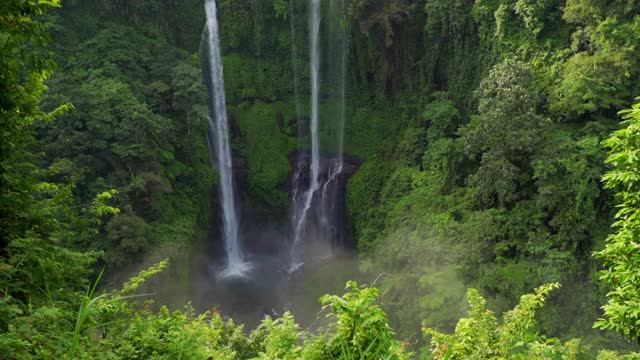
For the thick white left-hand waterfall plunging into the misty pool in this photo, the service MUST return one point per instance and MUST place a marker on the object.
(219, 144)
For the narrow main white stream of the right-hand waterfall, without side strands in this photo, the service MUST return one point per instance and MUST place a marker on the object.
(300, 215)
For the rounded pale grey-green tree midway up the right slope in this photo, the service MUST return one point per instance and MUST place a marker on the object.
(505, 132)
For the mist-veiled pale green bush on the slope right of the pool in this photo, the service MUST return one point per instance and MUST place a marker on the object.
(425, 282)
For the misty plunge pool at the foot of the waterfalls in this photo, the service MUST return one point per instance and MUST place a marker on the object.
(269, 289)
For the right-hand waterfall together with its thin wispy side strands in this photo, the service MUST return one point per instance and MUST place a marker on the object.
(316, 204)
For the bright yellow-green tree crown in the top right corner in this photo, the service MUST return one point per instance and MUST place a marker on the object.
(600, 74)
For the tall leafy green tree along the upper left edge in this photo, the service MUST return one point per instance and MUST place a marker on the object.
(22, 75)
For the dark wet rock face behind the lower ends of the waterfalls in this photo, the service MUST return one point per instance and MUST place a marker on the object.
(268, 231)
